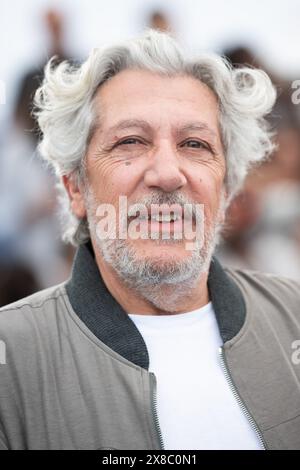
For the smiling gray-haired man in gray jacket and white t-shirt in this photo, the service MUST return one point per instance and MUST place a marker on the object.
(151, 344)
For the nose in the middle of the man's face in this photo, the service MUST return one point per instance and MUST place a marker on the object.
(164, 170)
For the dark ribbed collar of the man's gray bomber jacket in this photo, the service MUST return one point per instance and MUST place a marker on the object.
(107, 320)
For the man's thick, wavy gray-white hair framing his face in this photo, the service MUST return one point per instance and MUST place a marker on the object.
(66, 115)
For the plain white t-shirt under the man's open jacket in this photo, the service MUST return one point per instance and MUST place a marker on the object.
(196, 408)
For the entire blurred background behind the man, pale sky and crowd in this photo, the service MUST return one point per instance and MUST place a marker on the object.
(263, 228)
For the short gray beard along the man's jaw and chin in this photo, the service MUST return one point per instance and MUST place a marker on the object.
(162, 284)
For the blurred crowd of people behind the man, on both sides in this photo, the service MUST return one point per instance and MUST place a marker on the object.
(262, 231)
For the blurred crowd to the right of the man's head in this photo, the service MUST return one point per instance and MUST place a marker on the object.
(263, 222)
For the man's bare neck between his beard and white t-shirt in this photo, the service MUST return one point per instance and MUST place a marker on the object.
(169, 299)
